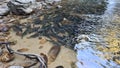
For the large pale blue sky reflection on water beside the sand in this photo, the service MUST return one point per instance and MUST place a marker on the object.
(88, 55)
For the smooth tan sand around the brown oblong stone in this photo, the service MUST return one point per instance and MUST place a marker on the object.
(65, 58)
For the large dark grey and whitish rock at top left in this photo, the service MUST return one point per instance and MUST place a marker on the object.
(23, 7)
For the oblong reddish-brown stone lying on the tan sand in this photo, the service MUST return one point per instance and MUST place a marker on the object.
(53, 53)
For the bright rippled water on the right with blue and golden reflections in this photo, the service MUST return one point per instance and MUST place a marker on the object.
(101, 49)
